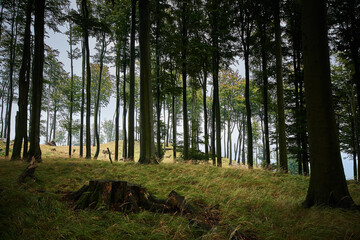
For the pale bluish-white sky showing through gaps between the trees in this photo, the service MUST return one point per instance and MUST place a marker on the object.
(59, 41)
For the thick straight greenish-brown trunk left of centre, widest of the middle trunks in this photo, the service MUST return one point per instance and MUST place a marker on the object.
(146, 103)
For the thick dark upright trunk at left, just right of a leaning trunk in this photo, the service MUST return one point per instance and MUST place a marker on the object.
(37, 81)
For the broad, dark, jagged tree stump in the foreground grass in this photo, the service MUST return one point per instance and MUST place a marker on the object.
(126, 197)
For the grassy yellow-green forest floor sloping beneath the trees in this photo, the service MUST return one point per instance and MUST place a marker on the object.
(247, 204)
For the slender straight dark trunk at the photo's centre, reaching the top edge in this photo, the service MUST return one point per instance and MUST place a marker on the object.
(184, 76)
